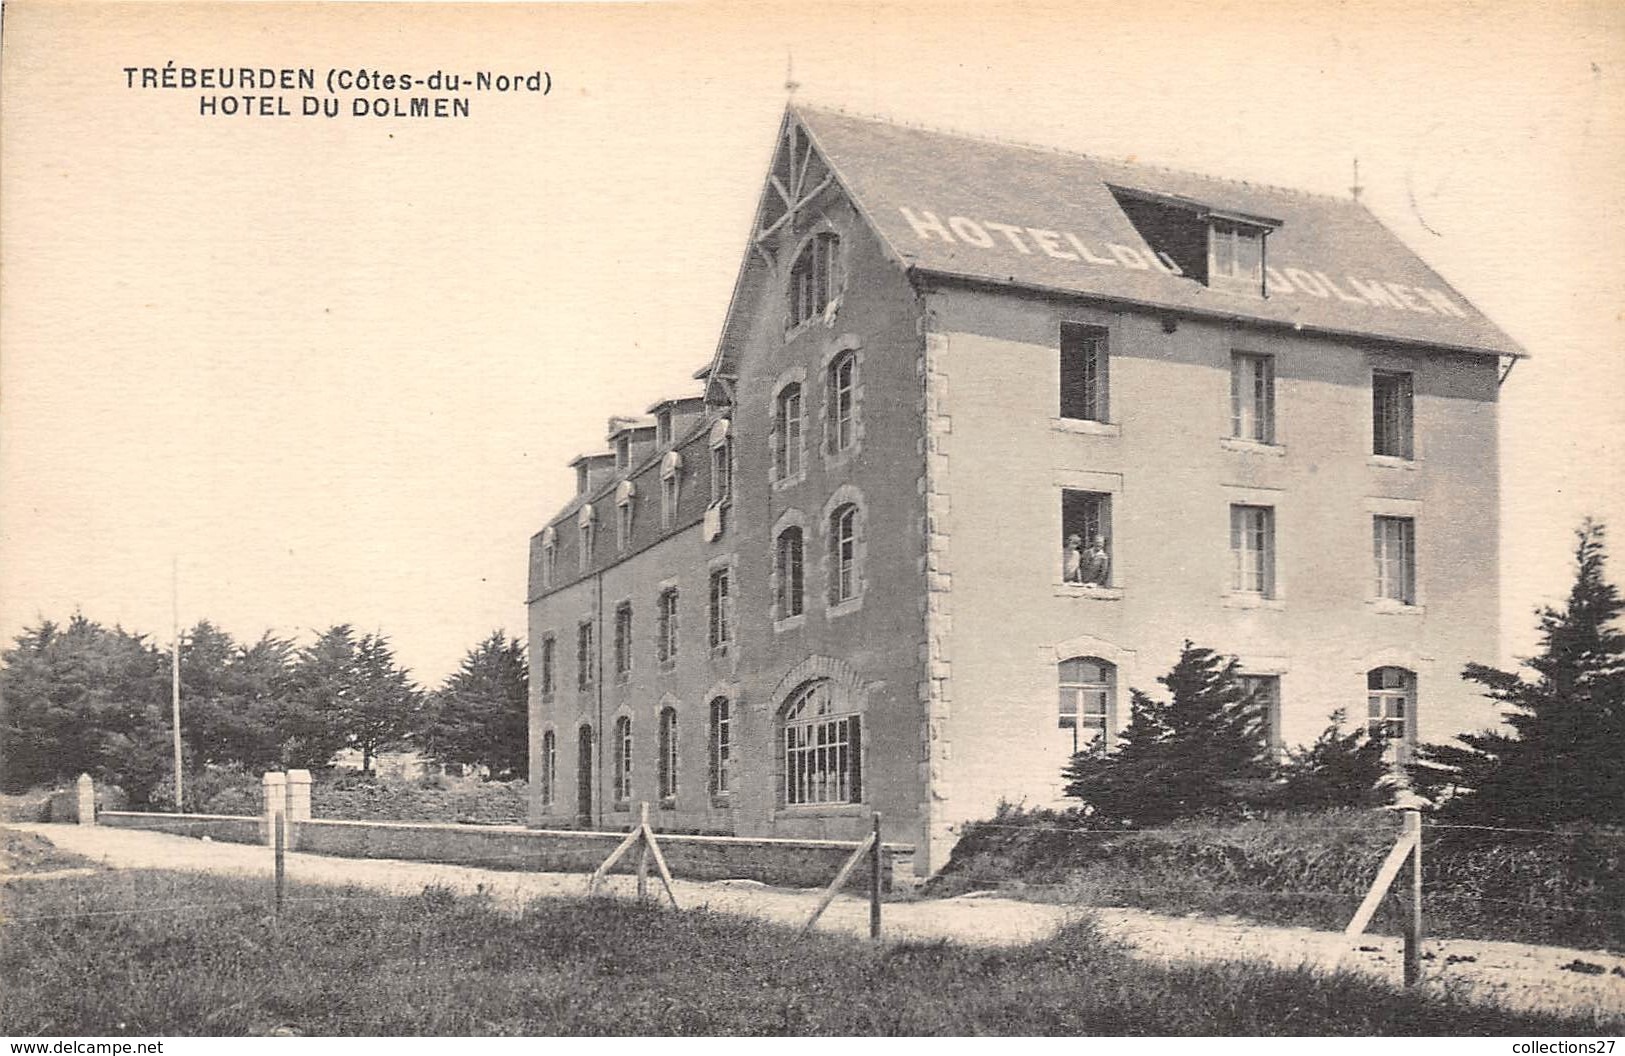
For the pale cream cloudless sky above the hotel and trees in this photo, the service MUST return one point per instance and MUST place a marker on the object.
(332, 370)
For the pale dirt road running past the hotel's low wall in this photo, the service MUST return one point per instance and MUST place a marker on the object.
(1510, 974)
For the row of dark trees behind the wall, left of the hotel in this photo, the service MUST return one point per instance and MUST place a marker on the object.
(82, 698)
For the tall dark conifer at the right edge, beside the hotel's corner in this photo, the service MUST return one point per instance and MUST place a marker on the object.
(1562, 761)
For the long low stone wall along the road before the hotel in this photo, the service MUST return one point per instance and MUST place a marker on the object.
(789, 863)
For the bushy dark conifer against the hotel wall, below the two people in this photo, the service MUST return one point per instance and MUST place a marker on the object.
(1198, 753)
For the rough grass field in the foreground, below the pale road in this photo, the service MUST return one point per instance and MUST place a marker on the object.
(184, 954)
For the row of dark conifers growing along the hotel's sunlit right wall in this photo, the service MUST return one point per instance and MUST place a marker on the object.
(1559, 760)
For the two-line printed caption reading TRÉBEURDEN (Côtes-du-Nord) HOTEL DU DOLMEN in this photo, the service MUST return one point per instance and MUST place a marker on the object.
(306, 92)
